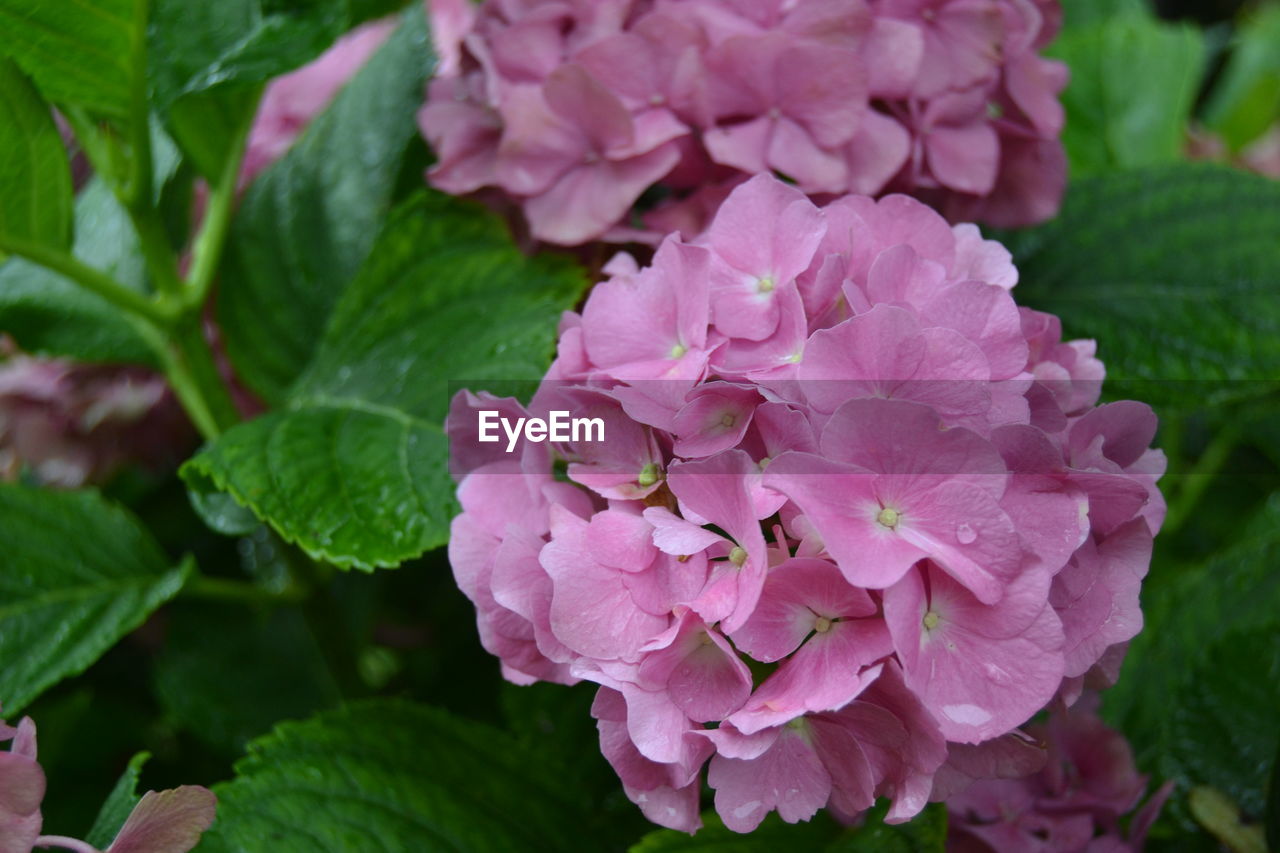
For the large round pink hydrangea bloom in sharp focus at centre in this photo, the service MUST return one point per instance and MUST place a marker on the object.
(854, 509)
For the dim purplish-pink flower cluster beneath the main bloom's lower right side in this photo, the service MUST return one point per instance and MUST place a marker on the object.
(1076, 802)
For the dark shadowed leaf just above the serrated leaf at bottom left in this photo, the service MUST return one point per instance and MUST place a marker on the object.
(264, 668)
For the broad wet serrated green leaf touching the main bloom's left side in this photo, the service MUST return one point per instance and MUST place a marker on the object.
(355, 469)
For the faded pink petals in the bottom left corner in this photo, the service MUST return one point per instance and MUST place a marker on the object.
(170, 822)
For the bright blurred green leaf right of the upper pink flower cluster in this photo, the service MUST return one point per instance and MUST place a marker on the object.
(1121, 120)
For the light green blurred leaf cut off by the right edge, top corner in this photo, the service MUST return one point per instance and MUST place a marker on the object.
(1246, 101)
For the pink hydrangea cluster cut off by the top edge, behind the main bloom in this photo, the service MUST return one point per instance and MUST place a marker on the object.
(577, 108)
